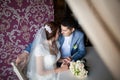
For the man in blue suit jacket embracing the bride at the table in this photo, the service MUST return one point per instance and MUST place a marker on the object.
(71, 43)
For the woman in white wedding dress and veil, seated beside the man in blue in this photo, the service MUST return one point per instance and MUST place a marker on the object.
(45, 54)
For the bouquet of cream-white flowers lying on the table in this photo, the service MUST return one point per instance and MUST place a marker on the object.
(78, 69)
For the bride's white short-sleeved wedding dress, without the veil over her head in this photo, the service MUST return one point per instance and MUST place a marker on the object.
(49, 63)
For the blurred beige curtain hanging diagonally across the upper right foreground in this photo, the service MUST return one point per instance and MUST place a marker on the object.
(101, 22)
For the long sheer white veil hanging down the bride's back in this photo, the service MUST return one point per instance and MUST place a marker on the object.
(39, 38)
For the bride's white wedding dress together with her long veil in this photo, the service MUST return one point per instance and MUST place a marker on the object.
(40, 48)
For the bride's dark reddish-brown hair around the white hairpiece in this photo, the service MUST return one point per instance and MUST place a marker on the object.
(53, 28)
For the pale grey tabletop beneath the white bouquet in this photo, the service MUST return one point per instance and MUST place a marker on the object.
(97, 68)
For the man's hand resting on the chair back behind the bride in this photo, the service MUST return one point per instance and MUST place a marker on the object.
(22, 60)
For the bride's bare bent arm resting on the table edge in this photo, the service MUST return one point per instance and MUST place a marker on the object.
(40, 67)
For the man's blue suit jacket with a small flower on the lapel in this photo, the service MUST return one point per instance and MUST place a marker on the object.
(77, 45)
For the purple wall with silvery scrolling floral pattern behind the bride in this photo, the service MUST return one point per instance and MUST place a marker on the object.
(19, 20)
